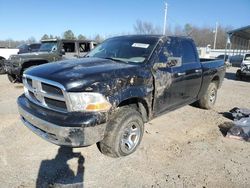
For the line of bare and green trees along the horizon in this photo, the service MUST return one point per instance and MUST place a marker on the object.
(202, 36)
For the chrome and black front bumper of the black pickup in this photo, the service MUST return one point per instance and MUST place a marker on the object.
(77, 134)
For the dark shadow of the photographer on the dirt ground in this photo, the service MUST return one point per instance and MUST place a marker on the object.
(57, 173)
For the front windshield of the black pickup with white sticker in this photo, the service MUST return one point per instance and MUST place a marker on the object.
(133, 50)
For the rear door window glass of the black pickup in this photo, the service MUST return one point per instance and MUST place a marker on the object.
(188, 52)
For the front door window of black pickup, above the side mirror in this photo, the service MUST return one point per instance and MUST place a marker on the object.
(171, 48)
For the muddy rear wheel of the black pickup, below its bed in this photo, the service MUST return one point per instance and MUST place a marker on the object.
(208, 100)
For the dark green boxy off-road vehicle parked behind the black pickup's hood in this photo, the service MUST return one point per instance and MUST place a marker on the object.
(50, 50)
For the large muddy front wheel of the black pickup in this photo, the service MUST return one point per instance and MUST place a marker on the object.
(123, 133)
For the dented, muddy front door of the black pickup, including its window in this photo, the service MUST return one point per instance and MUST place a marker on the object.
(169, 79)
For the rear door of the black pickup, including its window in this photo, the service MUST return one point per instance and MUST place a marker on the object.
(192, 70)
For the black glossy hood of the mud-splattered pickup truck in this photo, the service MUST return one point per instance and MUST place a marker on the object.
(87, 74)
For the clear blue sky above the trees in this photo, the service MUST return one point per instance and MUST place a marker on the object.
(26, 18)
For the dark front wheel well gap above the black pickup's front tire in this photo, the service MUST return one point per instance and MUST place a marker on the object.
(139, 104)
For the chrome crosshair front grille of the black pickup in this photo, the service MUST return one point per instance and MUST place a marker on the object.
(43, 93)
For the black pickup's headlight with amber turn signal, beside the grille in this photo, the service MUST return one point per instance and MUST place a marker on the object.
(92, 102)
